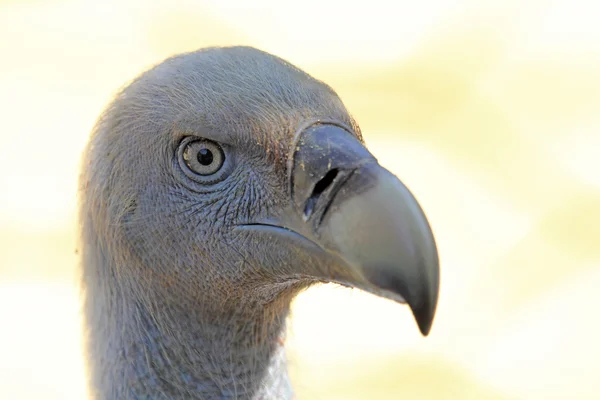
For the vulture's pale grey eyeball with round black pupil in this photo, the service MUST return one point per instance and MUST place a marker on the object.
(203, 157)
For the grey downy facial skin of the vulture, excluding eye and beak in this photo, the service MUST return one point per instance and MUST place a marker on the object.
(180, 230)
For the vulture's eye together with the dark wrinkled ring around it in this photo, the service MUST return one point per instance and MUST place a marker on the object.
(202, 160)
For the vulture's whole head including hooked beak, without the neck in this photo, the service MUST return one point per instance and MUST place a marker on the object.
(232, 179)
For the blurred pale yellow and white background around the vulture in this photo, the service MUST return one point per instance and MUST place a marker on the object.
(489, 111)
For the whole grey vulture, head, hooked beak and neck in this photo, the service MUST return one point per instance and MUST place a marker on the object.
(215, 187)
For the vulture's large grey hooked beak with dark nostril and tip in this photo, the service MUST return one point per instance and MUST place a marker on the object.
(363, 218)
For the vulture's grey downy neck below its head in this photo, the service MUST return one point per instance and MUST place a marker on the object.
(142, 348)
